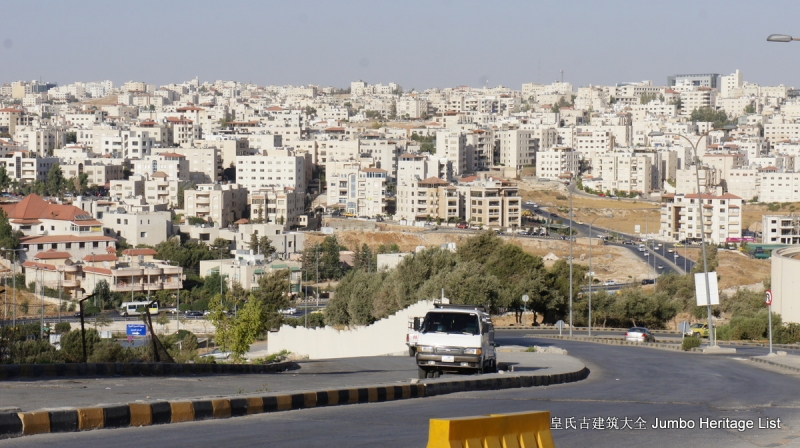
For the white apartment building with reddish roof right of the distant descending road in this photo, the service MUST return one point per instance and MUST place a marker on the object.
(681, 217)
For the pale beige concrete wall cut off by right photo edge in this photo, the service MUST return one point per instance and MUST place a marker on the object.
(785, 283)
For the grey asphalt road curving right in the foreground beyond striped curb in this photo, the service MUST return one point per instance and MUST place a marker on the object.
(627, 383)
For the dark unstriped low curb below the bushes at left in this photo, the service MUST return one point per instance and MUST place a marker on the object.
(33, 371)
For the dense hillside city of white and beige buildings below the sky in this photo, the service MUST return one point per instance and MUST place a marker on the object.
(216, 186)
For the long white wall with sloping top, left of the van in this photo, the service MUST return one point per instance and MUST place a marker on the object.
(384, 337)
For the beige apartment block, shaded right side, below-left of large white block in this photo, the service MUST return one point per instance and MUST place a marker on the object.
(220, 204)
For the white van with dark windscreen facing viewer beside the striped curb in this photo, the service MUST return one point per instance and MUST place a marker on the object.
(456, 338)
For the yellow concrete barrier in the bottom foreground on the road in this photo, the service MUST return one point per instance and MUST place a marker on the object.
(524, 429)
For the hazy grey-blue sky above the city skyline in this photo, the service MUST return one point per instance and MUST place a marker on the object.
(420, 44)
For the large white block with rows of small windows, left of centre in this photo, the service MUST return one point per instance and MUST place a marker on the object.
(278, 168)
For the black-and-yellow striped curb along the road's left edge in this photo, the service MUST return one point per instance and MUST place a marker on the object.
(164, 412)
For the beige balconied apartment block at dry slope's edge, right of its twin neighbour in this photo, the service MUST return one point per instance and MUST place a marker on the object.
(490, 202)
